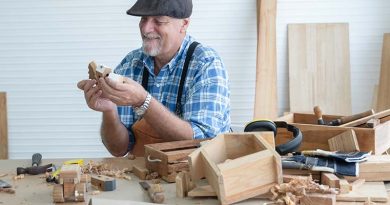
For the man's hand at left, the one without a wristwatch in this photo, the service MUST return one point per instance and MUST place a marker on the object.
(93, 96)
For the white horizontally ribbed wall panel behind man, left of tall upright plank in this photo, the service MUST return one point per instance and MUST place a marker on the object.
(45, 47)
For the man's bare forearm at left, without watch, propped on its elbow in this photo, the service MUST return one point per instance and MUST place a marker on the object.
(114, 134)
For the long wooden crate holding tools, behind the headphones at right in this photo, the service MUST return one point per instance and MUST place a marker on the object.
(316, 136)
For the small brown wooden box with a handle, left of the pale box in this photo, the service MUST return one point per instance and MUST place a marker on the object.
(169, 158)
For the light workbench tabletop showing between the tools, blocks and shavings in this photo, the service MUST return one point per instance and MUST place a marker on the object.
(34, 189)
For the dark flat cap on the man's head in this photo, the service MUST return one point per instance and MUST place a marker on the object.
(174, 8)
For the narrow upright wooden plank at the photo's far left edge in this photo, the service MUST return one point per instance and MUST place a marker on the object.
(3, 126)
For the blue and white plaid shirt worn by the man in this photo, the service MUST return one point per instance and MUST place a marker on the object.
(206, 95)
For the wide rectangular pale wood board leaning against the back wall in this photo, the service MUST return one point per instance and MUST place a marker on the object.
(319, 67)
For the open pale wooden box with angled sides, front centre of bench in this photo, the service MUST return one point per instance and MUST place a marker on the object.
(238, 166)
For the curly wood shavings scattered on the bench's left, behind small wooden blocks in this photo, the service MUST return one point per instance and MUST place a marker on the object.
(104, 169)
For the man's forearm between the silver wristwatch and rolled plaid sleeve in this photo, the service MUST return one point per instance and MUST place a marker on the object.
(166, 123)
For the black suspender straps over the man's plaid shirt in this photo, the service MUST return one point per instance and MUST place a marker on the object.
(190, 51)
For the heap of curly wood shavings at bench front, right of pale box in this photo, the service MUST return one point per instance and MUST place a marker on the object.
(290, 193)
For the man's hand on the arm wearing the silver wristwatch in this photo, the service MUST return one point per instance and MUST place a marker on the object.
(129, 93)
